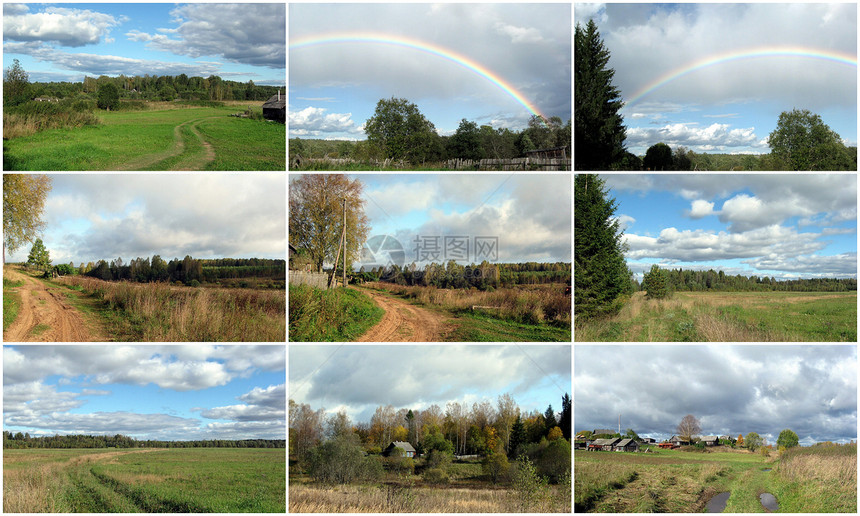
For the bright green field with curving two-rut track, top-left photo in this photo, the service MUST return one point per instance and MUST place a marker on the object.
(198, 138)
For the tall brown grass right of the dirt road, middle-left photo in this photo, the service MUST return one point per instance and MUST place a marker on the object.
(158, 312)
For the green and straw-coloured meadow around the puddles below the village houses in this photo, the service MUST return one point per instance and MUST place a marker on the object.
(817, 479)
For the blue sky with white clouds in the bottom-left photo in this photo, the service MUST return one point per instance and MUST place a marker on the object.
(147, 392)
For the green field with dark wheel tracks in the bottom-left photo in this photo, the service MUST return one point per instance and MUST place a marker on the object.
(144, 480)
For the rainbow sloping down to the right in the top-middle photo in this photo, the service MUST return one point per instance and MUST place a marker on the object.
(422, 46)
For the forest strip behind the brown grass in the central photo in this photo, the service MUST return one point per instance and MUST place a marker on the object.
(483, 276)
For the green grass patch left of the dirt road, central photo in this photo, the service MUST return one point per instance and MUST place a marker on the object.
(330, 315)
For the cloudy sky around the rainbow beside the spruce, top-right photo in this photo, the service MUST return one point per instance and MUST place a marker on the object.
(731, 107)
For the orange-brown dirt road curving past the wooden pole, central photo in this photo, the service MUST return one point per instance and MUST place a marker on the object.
(404, 322)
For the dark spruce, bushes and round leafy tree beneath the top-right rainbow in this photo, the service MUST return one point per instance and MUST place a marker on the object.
(801, 140)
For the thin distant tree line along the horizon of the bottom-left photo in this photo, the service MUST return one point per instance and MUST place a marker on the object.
(23, 440)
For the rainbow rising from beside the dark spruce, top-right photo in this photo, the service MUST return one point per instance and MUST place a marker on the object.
(737, 55)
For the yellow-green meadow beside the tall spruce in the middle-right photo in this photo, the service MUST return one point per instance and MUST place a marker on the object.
(729, 317)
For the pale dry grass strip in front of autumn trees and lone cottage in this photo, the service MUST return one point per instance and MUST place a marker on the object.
(352, 498)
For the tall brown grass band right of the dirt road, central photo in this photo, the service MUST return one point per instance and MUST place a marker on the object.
(530, 305)
